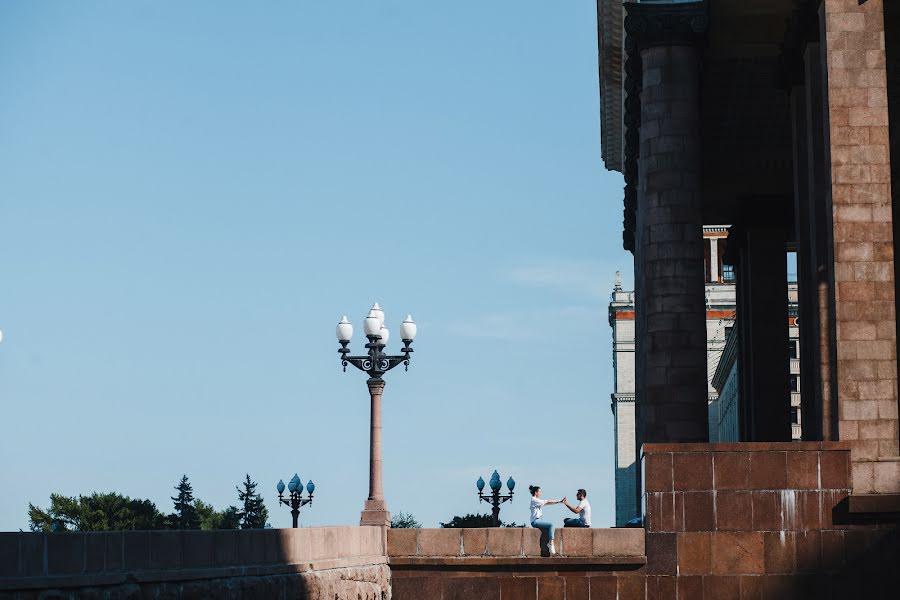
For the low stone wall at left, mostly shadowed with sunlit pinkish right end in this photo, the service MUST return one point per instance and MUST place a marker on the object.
(316, 563)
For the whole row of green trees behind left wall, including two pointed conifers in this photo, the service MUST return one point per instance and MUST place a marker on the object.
(113, 512)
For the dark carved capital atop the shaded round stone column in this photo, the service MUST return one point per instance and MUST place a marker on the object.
(680, 23)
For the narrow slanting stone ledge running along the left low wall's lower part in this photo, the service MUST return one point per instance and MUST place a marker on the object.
(153, 576)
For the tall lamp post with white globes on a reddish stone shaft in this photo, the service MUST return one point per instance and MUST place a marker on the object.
(375, 363)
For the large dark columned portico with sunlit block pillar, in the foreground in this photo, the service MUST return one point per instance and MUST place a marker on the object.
(775, 116)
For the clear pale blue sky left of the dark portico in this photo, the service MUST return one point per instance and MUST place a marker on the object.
(193, 193)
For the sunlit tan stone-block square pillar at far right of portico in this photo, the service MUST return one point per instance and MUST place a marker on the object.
(863, 240)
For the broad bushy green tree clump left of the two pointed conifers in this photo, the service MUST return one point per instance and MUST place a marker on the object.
(97, 512)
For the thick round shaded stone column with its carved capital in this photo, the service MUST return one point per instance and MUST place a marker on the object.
(669, 254)
